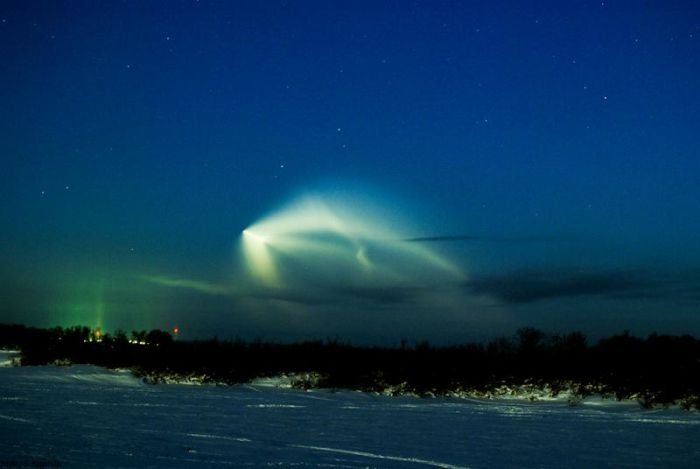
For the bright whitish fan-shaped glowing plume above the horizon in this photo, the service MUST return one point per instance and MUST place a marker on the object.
(319, 242)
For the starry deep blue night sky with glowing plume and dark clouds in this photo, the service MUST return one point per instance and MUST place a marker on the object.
(448, 171)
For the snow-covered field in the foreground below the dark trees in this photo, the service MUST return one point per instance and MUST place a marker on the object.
(86, 416)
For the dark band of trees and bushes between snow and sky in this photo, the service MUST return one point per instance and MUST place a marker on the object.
(660, 369)
